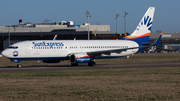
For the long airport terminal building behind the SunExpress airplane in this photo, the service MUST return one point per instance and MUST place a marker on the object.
(68, 31)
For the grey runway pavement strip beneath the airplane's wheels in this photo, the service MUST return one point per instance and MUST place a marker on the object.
(85, 67)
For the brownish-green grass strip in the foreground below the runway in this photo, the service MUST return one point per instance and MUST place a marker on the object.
(141, 84)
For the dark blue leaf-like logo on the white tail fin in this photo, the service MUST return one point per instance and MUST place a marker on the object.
(146, 21)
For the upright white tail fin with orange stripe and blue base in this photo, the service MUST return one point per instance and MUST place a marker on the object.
(142, 31)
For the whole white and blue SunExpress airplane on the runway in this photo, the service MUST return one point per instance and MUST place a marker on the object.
(84, 51)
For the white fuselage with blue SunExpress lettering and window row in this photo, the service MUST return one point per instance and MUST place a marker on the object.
(60, 49)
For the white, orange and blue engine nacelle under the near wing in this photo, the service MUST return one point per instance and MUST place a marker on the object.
(80, 58)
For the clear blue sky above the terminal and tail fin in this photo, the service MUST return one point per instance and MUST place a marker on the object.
(103, 12)
